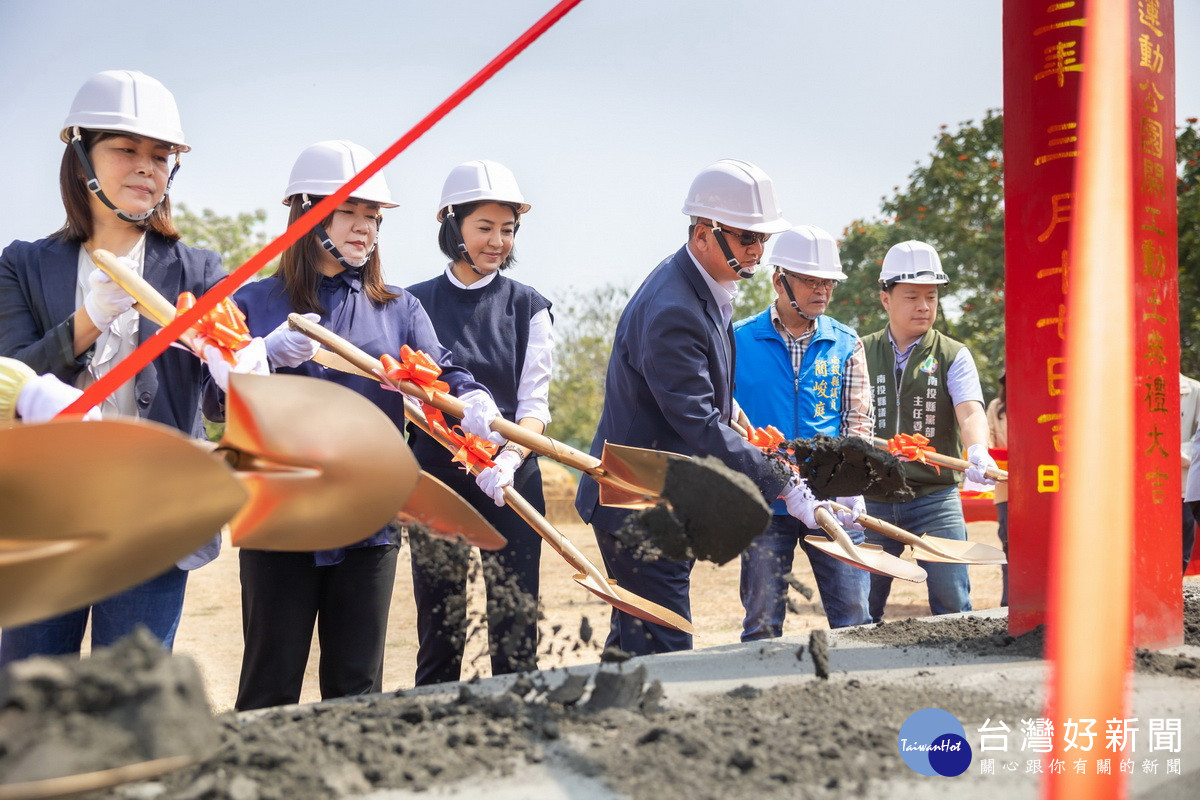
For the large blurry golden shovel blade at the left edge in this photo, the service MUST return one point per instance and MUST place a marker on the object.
(141, 497)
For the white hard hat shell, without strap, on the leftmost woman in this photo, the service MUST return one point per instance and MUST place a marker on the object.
(129, 103)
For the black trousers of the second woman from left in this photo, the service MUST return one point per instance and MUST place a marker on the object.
(285, 594)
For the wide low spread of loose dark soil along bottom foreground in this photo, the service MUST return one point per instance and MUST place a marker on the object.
(821, 739)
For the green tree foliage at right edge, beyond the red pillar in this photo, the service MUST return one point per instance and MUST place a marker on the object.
(1187, 154)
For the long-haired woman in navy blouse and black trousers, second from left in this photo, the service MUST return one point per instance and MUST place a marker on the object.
(333, 275)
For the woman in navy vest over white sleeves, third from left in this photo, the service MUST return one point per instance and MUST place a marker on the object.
(501, 330)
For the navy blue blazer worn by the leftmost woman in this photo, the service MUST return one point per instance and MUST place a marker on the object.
(38, 296)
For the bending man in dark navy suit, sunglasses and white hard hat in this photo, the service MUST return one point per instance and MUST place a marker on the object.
(670, 381)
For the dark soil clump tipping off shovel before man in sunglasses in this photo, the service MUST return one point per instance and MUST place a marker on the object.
(713, 514)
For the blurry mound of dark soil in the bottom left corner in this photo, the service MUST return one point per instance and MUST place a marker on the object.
(125, 705)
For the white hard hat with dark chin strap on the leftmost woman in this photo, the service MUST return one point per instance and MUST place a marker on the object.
(124, 101)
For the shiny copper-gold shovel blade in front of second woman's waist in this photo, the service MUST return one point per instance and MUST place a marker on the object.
(325, 467)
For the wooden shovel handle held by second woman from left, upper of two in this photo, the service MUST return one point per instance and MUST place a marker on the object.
(512, 431)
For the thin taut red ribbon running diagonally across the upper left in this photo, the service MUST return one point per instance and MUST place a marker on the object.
(154, 346)
